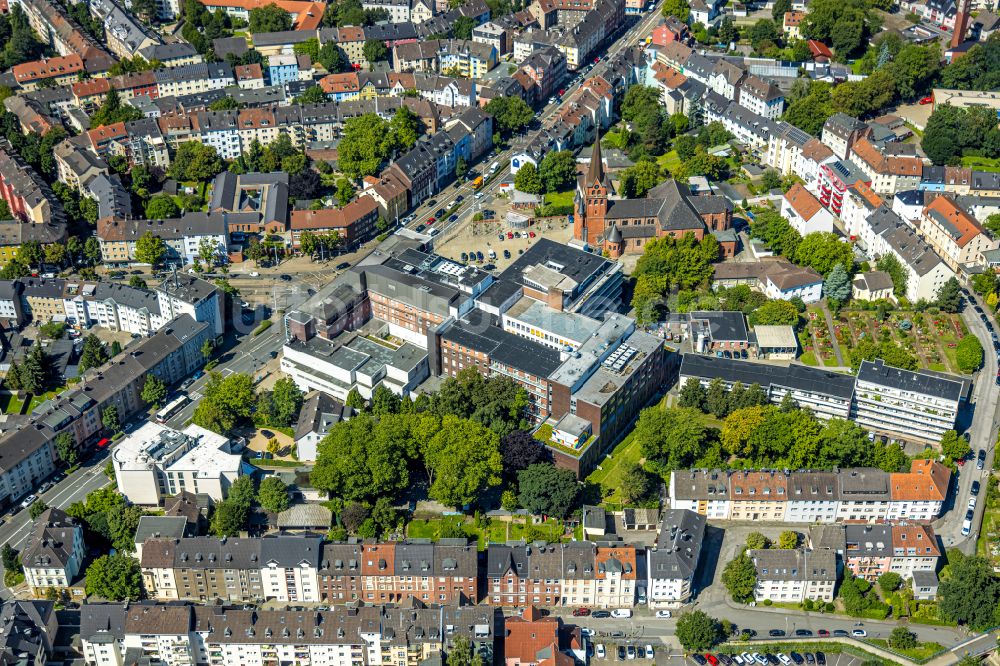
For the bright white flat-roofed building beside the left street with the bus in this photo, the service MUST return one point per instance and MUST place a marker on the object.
(155, 461)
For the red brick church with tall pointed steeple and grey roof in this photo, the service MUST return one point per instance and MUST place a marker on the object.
(624, 226)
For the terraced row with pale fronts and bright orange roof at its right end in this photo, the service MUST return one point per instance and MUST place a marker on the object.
(862, 495)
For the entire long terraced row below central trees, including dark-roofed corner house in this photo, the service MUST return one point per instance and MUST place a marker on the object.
(295, 568)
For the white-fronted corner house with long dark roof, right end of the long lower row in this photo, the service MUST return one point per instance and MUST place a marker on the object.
(672, 563)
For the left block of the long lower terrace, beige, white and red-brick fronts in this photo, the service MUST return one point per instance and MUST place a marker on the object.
(297, 568)
